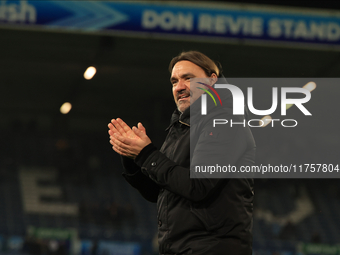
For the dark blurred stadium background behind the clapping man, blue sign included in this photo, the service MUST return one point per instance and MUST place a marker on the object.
(69, 67)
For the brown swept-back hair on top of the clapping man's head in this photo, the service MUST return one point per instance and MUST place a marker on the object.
(198, 58)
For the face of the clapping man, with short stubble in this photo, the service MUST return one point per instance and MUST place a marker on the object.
(180, 79)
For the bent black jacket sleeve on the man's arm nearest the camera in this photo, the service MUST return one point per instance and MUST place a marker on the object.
(221, 145)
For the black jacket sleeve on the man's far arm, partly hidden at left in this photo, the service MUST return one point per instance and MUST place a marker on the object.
(133, 175)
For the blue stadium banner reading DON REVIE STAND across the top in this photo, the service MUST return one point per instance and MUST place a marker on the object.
(179, 21)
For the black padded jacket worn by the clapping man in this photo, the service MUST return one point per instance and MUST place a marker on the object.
(198, 216)
